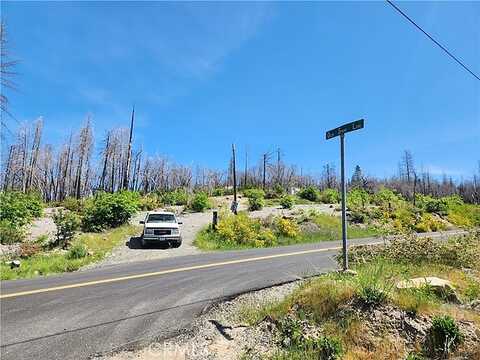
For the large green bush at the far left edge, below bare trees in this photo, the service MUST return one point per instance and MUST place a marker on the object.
(18, 208)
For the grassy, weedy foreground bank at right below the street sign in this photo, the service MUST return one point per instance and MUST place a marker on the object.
(369, 317)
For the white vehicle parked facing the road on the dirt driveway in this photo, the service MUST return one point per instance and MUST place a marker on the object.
(161, 227)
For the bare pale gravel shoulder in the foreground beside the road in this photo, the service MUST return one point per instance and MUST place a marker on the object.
(219, 334)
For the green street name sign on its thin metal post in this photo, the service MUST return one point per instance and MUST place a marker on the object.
(340, 131)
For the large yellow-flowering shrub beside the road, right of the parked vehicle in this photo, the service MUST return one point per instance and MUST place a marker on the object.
(242, 230)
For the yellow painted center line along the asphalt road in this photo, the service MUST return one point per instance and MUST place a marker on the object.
(164, 272)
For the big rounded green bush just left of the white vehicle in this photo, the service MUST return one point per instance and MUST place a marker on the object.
(107, 210)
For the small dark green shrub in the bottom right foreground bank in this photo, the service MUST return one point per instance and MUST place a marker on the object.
(444, 335)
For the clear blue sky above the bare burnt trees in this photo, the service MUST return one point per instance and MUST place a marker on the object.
(262, 75)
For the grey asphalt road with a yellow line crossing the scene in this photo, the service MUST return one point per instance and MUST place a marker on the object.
(78, 315)
